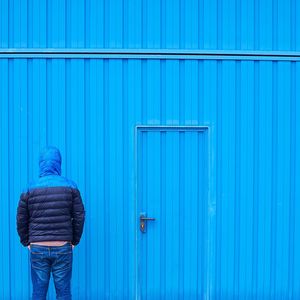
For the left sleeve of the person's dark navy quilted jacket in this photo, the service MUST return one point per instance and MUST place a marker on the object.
(23, 219)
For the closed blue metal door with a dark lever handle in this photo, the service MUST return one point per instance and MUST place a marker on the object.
(172, 189)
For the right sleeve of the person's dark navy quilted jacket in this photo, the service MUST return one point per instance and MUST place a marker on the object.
(78, 217)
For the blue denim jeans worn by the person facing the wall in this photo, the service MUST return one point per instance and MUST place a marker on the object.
(55, 259)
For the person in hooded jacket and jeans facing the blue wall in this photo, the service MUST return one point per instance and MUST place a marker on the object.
(50, 219)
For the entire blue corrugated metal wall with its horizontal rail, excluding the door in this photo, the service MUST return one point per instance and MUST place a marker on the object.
(89, 104)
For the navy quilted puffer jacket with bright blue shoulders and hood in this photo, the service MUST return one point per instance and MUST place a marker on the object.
(51, 209)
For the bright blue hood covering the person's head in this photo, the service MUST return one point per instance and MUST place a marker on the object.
(50, 162)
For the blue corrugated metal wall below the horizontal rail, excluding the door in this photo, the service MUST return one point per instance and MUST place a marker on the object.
(89, 108)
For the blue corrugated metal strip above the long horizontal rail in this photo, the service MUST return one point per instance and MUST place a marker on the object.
(193, 24)
